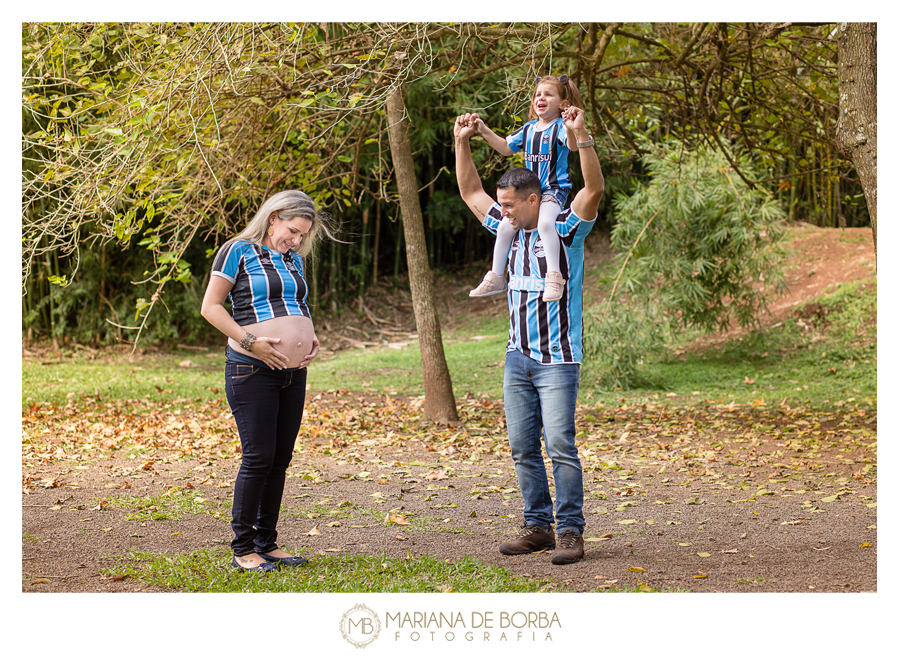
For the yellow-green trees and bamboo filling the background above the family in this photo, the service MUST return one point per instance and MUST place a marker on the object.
(160, 140)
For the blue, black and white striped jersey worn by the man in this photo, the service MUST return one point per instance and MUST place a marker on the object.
(548, 332)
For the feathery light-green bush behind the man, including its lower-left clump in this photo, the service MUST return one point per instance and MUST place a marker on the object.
(698, 249)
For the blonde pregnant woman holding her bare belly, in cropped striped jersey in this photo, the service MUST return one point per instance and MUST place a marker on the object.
(271, 341)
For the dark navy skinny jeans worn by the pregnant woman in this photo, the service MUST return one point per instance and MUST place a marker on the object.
(268, 407)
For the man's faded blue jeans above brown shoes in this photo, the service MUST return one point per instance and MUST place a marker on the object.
(540, 397)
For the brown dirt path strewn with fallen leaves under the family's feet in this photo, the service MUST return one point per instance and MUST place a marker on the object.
(724, 499)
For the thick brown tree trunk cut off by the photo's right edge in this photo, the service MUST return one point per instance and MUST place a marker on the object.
(857, 129)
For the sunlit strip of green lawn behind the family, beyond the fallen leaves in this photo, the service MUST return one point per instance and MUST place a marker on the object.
(825, 357)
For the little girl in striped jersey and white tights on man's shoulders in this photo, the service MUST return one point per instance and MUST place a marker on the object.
(546, 143)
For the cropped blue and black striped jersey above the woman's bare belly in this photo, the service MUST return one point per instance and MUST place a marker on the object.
(267, 284)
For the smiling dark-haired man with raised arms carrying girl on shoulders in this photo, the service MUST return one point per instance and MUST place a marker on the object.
(543, 355)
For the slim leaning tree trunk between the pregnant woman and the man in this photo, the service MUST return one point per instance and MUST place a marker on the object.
(439, 401)
